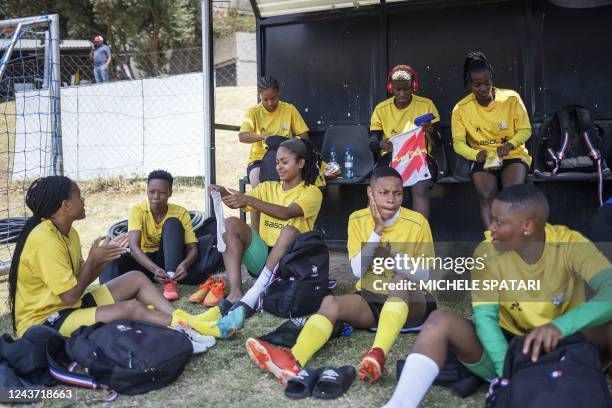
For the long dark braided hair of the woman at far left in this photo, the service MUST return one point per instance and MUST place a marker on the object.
(44, 198)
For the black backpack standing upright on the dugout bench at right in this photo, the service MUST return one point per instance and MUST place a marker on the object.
(570, 141)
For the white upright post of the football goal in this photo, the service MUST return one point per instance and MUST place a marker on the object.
(55, 84)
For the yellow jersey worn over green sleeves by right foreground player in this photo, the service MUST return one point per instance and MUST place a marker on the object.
(567, 262)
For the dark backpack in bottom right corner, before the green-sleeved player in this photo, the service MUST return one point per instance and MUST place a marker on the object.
(568, 377)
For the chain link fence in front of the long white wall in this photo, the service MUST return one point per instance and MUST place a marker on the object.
(148, 116)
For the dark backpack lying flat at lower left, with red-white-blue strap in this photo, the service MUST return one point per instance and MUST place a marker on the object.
(130, 357)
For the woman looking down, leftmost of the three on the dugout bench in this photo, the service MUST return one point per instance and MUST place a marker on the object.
(271, 117)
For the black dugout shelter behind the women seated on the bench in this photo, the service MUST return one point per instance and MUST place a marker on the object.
(332, 59)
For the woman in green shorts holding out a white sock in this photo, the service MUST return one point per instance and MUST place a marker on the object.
(289, 207)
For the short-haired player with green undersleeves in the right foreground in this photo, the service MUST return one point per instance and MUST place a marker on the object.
(523, 246)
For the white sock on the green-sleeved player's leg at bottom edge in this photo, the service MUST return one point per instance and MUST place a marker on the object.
(418, 374)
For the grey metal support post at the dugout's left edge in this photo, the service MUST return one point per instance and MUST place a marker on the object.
(208, 101)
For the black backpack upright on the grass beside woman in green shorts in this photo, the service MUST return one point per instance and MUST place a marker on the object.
(301, 280)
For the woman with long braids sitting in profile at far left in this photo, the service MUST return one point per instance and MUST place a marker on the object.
(48, 276)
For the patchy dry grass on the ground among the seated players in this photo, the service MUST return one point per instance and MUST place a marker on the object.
(225, 376)
